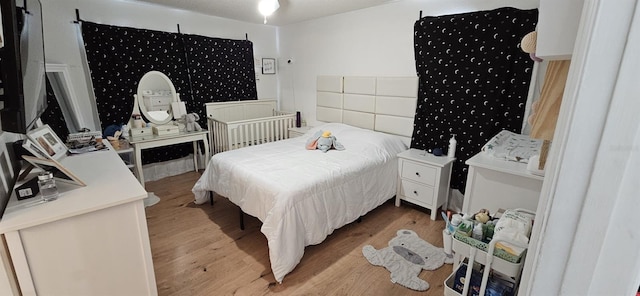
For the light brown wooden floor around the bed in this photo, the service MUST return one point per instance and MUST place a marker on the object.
(200, 250)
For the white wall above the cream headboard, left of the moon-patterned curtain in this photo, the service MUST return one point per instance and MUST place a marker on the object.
(376, 41)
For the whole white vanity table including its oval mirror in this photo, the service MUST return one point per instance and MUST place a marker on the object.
(158, 103)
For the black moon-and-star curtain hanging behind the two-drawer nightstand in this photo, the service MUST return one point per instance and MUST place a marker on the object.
(473, 80)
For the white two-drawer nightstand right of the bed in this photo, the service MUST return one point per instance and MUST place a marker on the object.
(423, 179)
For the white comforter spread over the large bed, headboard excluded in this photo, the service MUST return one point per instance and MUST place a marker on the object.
(301, 195)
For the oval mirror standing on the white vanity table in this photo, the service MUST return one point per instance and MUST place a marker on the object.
(155, 95)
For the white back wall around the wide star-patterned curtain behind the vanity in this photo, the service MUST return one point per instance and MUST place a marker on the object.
(61, 43)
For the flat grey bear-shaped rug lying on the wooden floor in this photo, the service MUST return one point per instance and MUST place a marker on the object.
(406, 255)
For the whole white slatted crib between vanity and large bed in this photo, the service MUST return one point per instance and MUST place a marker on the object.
(238, 124)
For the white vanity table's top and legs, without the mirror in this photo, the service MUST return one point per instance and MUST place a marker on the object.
(151, 141)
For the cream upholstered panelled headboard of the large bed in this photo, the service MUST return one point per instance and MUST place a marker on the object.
(385, 104)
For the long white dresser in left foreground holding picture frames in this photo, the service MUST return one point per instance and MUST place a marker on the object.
(92, 240)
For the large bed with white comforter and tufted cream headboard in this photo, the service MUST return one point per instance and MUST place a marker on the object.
(301, 196)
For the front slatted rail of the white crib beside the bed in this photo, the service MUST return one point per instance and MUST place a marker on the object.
(243, 133)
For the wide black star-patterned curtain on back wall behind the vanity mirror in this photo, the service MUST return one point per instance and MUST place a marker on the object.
(211, 70)
